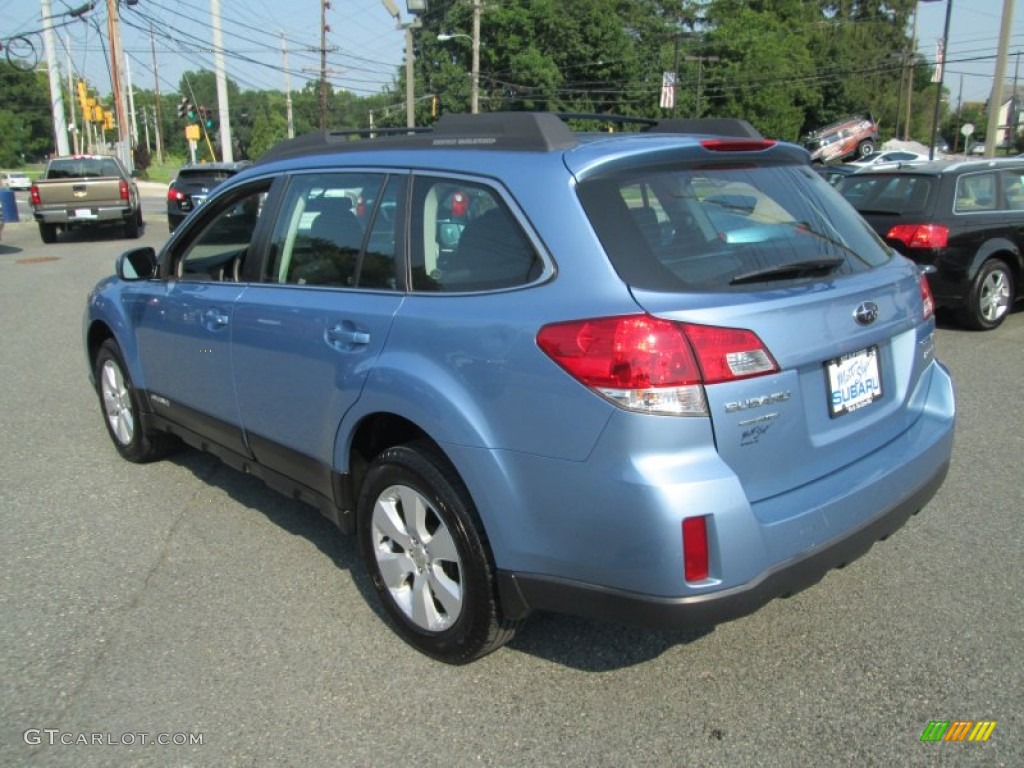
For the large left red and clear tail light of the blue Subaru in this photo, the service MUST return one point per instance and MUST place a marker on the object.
(654, 366)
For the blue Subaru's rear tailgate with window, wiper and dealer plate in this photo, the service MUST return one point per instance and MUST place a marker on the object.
(746, 240)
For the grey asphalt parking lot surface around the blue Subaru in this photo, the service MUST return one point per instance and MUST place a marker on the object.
(182, 615)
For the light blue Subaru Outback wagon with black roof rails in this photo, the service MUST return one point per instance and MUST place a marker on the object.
(659, 376)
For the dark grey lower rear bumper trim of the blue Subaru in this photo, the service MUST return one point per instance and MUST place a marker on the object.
(523, 593)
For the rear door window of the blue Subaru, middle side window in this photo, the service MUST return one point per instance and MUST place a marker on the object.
(337, 230)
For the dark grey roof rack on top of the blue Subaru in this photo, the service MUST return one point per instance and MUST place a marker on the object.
(513, 132)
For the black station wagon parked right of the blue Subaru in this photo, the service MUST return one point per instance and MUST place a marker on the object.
(964, 221)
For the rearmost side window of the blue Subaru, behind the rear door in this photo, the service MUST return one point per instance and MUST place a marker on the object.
(464, 238)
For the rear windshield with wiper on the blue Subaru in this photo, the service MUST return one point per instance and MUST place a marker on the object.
(727, 229)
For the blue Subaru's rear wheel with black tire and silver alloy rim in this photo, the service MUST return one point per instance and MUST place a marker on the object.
(428, 557)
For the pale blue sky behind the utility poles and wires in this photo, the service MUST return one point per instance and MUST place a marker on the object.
(366, 50)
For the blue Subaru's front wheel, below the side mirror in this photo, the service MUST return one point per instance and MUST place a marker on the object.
(122, 410)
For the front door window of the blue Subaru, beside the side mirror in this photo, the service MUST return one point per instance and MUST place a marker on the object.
(220, 250)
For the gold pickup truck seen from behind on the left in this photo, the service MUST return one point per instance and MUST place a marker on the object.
(86, 191)
